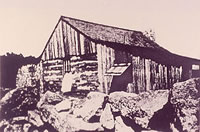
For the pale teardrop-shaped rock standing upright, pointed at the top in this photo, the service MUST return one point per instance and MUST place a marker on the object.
(107, 118)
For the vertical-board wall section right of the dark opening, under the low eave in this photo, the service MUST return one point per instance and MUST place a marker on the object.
(150, 75)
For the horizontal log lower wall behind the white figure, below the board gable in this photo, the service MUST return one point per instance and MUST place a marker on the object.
(84, 69)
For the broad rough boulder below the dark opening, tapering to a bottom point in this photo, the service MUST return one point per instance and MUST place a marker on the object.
(139, 107)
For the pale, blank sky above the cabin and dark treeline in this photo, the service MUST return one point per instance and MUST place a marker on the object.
(25, 25)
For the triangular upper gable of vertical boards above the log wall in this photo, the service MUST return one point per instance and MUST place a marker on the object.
(65, 41)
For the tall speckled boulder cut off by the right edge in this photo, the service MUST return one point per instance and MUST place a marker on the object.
(186, 100)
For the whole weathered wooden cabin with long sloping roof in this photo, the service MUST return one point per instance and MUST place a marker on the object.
(110, 58)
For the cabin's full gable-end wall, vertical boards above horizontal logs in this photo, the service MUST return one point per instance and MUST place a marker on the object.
(68, 50)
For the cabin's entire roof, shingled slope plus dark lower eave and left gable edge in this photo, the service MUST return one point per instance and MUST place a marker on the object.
(115, 35)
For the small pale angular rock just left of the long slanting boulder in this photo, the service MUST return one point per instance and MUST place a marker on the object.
(34, 118)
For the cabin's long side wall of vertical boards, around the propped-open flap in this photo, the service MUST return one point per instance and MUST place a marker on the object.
(147, 74)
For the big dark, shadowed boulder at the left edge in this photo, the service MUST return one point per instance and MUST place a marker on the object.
(18, 101)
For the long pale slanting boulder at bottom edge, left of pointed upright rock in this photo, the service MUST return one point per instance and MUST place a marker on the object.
(63, 121)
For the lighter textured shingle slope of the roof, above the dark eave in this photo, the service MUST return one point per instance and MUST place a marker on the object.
(112, 34)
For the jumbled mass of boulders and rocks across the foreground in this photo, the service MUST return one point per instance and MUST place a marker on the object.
(177, 109)
